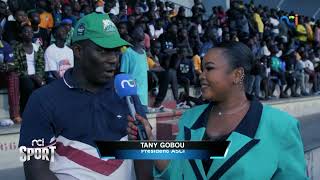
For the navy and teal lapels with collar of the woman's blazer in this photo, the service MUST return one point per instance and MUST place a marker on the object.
(242, 140)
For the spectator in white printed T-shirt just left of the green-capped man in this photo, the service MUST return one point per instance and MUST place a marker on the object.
(58, 57)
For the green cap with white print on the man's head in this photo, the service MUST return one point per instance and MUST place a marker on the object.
(100, 29)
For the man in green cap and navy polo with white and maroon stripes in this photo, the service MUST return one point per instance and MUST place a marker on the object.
(74, 111)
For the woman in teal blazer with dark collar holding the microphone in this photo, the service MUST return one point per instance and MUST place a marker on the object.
(265, 142)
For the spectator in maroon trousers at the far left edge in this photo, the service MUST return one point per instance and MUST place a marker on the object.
(9, 79)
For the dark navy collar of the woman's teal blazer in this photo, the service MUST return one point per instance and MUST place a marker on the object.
(248, 125)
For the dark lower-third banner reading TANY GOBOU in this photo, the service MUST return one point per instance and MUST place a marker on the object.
(162, 149)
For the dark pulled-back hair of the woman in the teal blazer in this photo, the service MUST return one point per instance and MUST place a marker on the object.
(238, 55)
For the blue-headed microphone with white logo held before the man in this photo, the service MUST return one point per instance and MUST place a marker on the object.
(126, 88)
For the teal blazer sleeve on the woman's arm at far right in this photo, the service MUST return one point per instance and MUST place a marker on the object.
(292, 164)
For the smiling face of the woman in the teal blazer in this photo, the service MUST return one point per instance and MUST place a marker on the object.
(217, 78)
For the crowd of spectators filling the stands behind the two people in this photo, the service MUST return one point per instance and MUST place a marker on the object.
(35, 47)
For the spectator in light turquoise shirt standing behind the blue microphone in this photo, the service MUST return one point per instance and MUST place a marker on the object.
(134, 62)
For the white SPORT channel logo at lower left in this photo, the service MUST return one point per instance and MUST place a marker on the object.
(41, 152)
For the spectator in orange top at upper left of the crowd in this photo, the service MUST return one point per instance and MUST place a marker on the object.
(46, 18)
